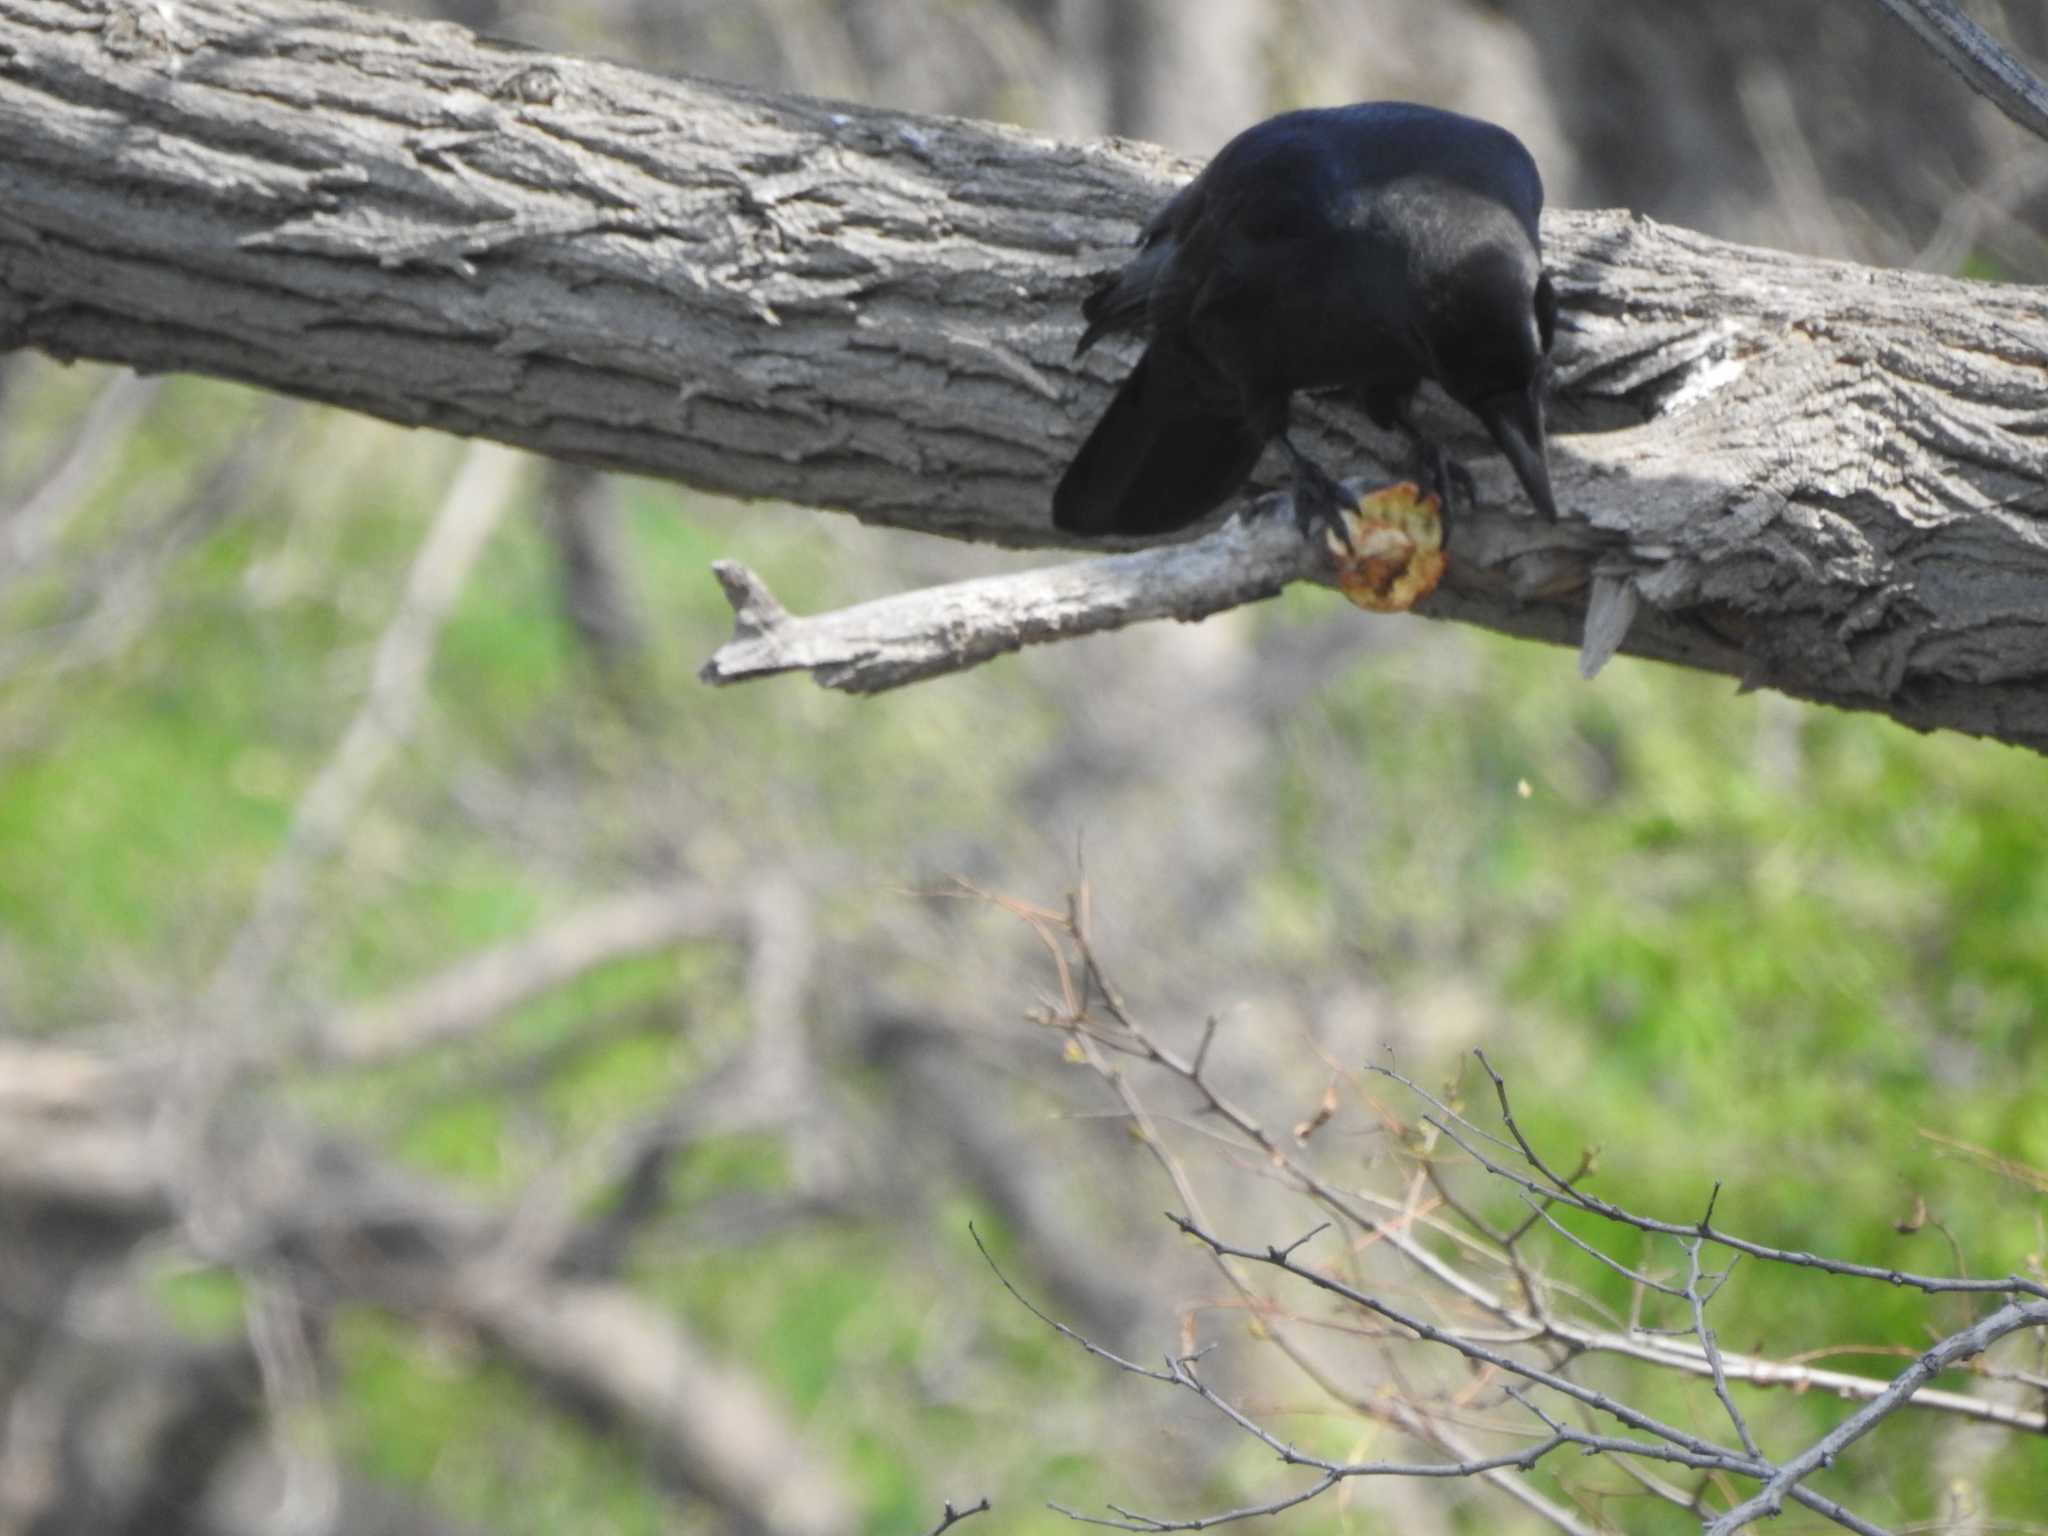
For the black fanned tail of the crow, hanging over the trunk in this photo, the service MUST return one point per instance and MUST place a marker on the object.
(1156, 460)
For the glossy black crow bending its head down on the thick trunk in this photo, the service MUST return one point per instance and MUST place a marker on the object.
(1351, 249)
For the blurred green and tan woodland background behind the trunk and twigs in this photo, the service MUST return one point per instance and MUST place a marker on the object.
(368, 839)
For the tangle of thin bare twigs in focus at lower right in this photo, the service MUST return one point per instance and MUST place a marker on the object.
(1113, 1035)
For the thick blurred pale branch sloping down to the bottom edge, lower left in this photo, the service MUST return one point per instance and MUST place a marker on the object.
(349, 1228)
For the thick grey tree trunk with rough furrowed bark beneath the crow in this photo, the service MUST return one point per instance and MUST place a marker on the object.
(1811, 476)
